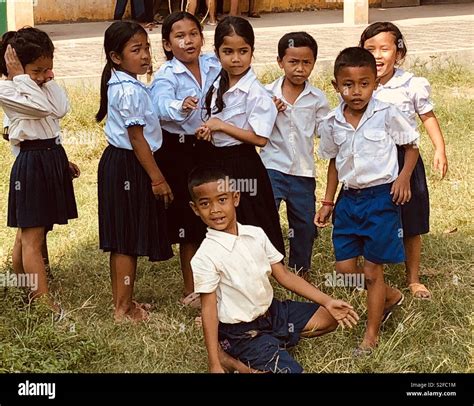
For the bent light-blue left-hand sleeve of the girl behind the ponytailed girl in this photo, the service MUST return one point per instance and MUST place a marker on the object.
(165, 99)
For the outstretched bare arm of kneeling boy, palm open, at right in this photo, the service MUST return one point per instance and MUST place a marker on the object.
(343, 312)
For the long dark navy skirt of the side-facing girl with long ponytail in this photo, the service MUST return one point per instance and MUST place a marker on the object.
(131, 220)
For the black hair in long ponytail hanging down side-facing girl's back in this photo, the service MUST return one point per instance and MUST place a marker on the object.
(115, 39)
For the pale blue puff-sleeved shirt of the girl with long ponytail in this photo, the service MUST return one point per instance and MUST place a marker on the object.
(130, 104)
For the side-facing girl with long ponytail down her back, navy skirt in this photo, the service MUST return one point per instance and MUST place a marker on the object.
(133, 192)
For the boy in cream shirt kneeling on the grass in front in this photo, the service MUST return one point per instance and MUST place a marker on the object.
(231, 272)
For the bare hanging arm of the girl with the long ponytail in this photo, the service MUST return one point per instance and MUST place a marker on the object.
(144, 155)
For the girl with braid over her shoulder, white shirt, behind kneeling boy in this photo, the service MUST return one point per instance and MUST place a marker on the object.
(241, 115)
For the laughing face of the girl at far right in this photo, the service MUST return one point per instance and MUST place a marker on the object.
(384, 49)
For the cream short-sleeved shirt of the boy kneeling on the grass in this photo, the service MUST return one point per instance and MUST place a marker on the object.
(237, 268)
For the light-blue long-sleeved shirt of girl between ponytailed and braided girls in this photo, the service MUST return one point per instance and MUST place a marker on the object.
(173, 83)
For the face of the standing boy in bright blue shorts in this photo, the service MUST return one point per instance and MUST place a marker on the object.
(356, 85)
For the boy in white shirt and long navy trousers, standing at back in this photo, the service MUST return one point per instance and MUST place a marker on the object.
(289, 153)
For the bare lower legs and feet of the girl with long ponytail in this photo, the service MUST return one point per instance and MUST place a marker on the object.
(122, 273)
